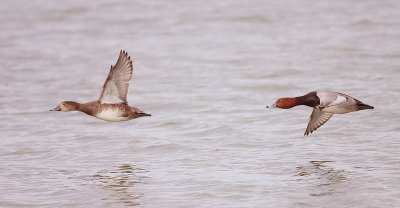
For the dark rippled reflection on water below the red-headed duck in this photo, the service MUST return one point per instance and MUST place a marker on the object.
(325, 179)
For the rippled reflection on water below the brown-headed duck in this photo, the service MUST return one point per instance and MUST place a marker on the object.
(120, 182)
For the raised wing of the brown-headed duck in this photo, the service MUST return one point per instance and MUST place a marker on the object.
(115, 89)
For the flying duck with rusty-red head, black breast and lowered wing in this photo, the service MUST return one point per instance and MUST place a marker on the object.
(324, 103)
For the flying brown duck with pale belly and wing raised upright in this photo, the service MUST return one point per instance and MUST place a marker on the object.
(112, 104)
